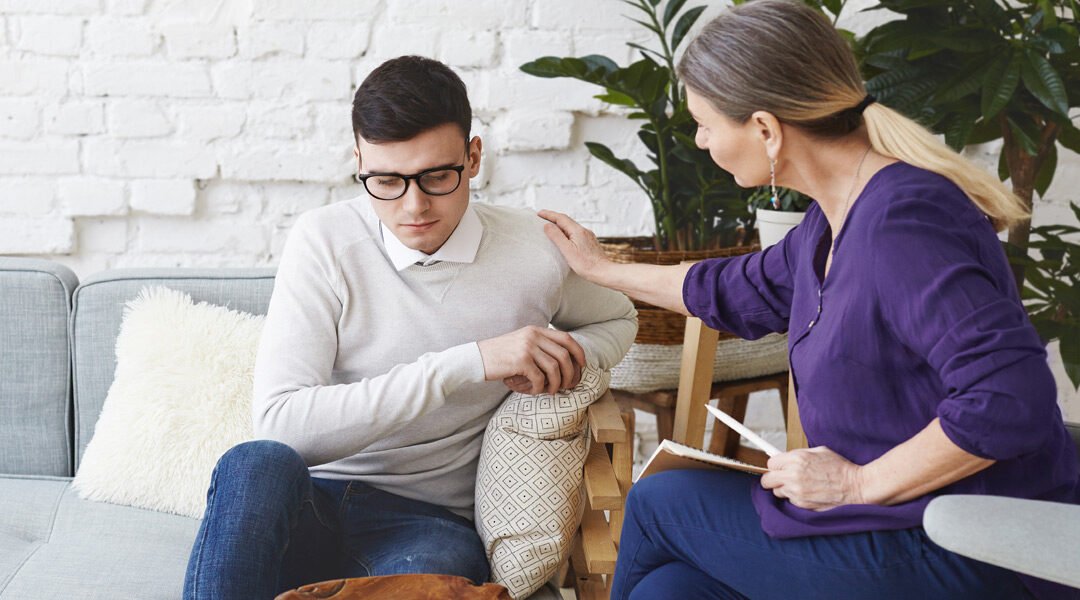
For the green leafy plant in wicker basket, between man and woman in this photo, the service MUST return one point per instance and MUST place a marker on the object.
(696, 204)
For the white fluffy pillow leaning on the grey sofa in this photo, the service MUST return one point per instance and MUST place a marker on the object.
(181, 398)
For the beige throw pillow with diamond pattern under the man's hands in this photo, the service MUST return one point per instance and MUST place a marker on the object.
(530, 497)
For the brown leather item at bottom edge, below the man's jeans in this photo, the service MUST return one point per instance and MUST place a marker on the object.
(399, 588)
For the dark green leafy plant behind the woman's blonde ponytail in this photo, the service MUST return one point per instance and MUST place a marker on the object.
(981, 71)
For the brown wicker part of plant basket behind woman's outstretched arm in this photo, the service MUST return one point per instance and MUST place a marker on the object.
(656, 325)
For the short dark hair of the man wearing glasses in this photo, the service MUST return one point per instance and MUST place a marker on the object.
(407, 97)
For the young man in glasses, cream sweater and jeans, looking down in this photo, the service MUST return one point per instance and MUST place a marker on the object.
(399, 323)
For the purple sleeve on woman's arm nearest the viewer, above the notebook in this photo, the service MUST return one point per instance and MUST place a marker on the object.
(948, 294)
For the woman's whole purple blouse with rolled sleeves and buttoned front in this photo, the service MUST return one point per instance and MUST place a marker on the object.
(919, 319)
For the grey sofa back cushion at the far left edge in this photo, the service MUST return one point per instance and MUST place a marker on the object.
(35, 370)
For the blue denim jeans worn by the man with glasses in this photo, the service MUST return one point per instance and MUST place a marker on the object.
(271, 527)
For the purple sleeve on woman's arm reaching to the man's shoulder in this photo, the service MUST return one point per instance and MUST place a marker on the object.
(749, 295)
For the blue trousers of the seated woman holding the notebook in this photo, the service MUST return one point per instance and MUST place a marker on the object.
(695, 535)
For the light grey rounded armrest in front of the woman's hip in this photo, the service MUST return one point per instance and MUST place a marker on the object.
(1032, 537)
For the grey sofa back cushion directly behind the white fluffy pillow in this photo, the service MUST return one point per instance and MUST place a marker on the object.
(99, 307)
